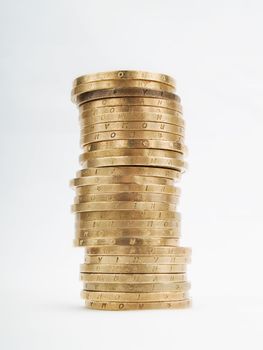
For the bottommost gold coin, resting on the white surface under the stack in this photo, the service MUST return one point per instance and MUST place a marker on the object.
(115, 306)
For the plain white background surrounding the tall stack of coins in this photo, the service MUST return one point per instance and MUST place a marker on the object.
(214, 50)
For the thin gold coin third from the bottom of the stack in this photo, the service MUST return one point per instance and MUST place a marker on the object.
(137, 287)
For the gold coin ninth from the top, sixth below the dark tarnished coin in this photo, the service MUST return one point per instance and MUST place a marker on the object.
(144, 144)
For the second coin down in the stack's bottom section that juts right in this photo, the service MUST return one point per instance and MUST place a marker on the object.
(135, 259)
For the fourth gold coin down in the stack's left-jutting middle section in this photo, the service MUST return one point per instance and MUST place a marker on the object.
(126, 196)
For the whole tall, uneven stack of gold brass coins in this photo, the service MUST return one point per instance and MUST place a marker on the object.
(132, 137)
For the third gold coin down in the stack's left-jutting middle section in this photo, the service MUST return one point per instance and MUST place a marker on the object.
(112, 188)
